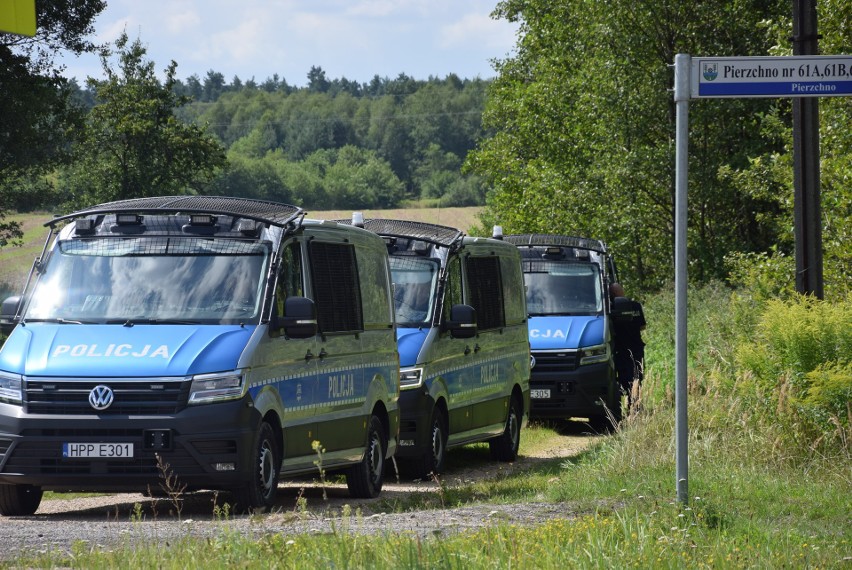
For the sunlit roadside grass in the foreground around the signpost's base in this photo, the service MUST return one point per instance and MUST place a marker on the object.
(746, 510)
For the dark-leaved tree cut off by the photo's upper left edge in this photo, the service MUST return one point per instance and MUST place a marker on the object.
(36, 113)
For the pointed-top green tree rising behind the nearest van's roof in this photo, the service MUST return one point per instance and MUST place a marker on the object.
(133, 145)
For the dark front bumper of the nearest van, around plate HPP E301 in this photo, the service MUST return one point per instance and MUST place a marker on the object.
(203, 447)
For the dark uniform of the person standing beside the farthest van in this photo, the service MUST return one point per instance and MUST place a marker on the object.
(628, 320)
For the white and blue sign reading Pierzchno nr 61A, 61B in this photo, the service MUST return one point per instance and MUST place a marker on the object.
(784, 76)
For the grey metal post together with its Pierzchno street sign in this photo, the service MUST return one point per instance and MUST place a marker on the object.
(704, 77)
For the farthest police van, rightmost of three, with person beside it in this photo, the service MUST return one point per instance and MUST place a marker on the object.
(570, 329)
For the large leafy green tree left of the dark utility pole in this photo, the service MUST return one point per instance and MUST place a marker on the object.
(584, 129)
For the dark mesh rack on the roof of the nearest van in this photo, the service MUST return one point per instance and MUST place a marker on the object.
(273, 213)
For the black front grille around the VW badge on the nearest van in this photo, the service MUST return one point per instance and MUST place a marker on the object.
(137, 397)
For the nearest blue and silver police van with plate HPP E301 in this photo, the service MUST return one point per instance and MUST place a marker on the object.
(212, 340)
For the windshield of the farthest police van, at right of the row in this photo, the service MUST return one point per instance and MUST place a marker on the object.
(562, 288)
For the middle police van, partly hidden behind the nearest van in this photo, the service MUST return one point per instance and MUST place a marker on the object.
(462, 334)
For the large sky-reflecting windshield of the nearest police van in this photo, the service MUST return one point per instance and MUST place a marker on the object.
(151, 280)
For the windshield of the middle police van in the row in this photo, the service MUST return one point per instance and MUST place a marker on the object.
(414, 281)
